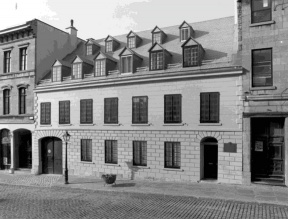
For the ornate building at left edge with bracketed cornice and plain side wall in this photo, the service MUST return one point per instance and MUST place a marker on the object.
(26, 53)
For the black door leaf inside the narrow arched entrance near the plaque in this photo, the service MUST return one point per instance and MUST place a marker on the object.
(210, 161)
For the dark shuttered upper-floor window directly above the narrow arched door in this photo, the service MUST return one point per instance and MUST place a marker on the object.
(209, 107)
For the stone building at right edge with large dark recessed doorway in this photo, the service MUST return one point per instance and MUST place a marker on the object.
(263, 40)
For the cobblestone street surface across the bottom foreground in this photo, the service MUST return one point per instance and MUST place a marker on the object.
(57, 202)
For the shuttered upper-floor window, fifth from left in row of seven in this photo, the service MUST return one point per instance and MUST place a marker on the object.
(139, 110)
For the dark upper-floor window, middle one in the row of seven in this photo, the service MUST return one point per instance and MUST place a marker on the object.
(111, 110)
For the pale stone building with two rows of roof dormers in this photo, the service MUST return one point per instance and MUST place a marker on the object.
(164, 104)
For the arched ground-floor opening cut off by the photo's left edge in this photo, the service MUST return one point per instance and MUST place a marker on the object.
(5, 152)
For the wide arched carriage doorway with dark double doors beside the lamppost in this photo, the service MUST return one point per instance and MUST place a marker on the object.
(51, 155)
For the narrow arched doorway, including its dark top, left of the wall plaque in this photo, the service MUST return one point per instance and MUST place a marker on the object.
(209, 158)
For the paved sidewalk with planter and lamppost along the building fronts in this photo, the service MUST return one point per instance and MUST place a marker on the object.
(253, 193)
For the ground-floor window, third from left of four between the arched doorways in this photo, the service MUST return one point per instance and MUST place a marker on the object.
(139, 153)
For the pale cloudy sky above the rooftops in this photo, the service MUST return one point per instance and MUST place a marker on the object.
(98, 18)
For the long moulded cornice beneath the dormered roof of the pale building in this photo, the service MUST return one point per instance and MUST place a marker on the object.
(140, 78)
